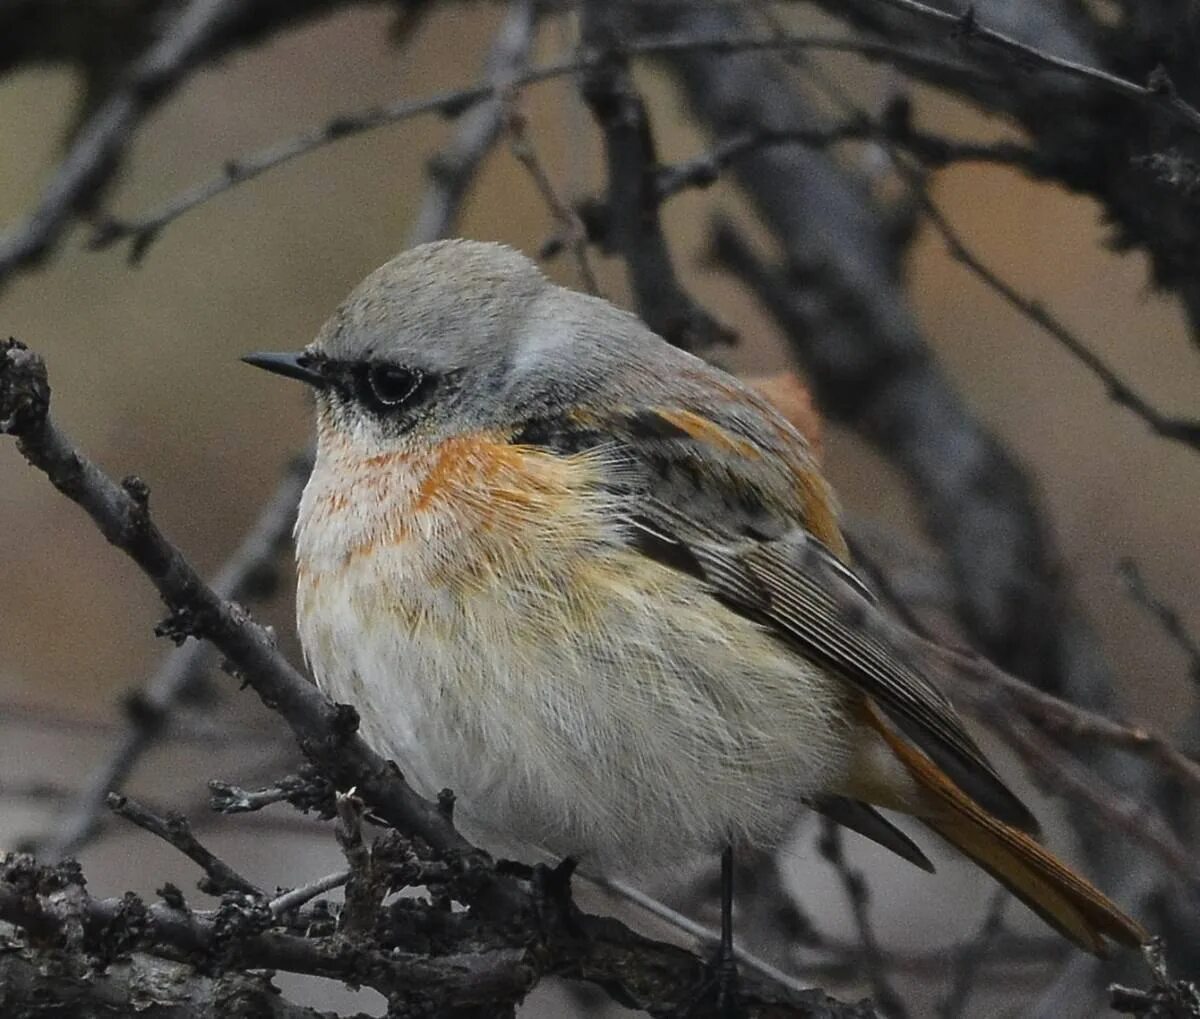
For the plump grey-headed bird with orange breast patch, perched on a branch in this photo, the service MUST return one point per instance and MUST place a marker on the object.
(597, 588)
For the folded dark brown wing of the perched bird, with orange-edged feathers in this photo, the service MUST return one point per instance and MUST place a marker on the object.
(741, 506)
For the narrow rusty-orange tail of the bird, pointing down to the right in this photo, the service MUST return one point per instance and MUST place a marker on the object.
(1064, 900)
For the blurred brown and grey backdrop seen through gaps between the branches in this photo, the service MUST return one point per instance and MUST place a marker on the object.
(146, 374)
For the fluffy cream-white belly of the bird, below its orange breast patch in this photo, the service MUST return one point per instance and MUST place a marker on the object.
(604, 709)
